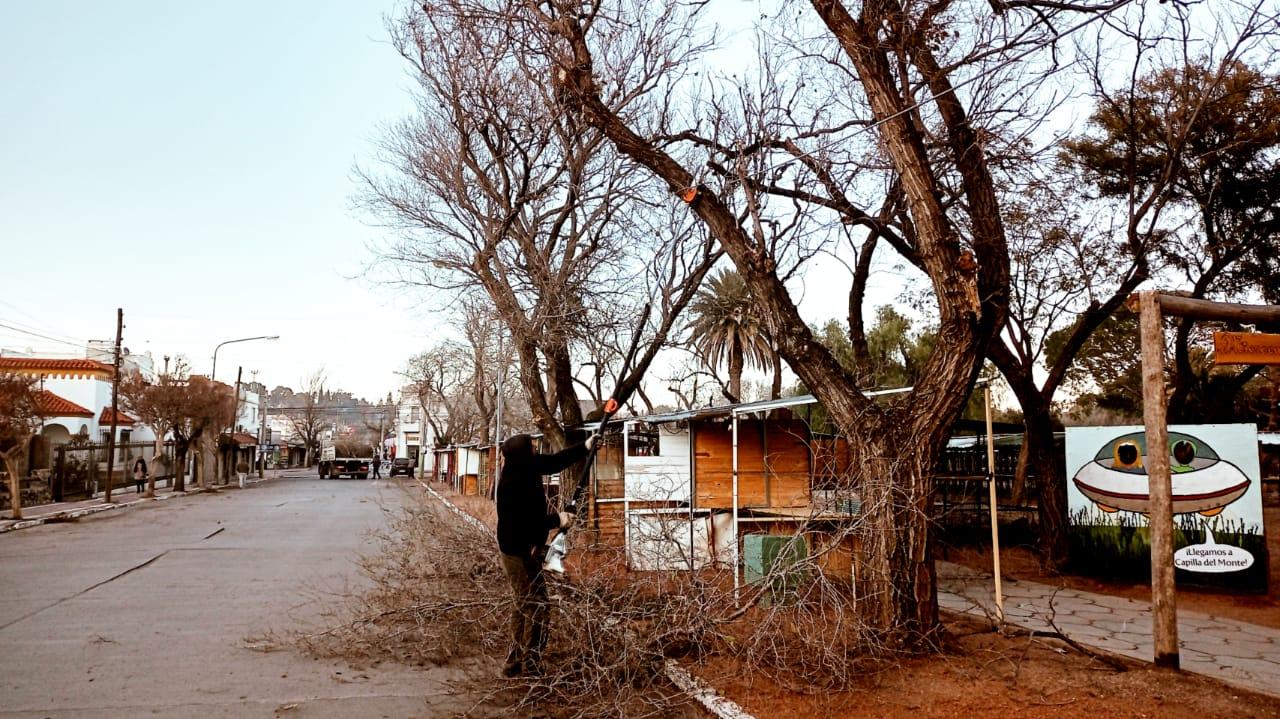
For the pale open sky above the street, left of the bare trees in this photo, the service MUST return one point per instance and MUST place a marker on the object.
(193, 164)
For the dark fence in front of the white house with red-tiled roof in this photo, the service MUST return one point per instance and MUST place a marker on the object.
(80, 471)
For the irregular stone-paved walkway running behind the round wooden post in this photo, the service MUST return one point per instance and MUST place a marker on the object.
(1237, 653)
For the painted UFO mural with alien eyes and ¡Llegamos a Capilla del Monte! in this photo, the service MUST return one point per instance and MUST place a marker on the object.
(1218, 505)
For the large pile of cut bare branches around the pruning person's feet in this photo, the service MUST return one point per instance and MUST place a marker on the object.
(438, 597)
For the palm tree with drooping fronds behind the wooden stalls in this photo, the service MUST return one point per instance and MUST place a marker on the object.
(726, 329)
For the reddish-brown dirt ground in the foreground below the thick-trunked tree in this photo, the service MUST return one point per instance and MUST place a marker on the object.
(988, 675)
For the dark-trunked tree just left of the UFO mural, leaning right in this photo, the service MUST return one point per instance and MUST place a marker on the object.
(1078, 258)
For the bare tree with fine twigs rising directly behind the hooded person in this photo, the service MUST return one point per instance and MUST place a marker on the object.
(504, 196)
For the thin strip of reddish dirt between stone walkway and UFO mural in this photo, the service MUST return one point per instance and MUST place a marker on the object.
(1021, 564)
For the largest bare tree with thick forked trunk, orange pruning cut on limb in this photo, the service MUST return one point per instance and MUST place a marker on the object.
(935, 154)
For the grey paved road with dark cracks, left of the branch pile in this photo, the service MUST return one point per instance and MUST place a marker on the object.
(147, 612)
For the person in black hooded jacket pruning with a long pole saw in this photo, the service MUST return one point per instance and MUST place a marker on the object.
(524, 523)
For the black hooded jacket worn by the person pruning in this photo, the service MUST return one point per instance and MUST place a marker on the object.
(524, 519)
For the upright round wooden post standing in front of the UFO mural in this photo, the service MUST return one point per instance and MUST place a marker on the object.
(1164, 598)
